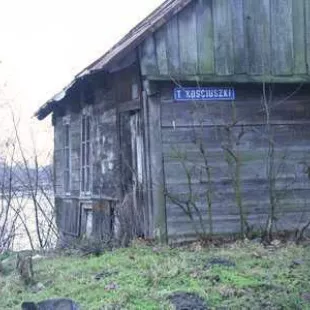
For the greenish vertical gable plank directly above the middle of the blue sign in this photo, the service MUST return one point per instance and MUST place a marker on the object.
(205, 37)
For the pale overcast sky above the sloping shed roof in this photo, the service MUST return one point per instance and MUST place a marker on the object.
(44, 43)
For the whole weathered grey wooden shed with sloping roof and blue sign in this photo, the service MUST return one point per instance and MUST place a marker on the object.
(196, 122)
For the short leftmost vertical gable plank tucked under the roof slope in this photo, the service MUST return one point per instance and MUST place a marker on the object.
(148, 61)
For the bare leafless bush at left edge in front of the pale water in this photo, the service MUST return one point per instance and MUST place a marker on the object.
(24, 184)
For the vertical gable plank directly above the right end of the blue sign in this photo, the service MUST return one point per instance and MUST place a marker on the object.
(223, 38)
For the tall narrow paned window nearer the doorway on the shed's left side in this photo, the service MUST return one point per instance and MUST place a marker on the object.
(85, 156)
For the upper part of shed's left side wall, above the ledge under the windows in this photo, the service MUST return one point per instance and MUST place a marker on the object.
(103, 147)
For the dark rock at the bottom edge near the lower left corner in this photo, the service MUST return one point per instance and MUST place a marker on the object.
(51, 304)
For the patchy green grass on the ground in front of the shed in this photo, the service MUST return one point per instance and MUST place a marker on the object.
(143, 277)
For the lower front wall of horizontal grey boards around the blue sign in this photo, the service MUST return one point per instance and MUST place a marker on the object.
(240, 127)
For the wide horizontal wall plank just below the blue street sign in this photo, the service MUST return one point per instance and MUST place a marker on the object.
(242, 112)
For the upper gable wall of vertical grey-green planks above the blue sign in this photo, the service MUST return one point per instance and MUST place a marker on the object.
(232, 40)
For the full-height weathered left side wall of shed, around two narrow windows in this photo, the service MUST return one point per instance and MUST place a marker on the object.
(104, 170)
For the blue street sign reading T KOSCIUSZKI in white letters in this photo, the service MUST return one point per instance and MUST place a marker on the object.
(204, 93)
